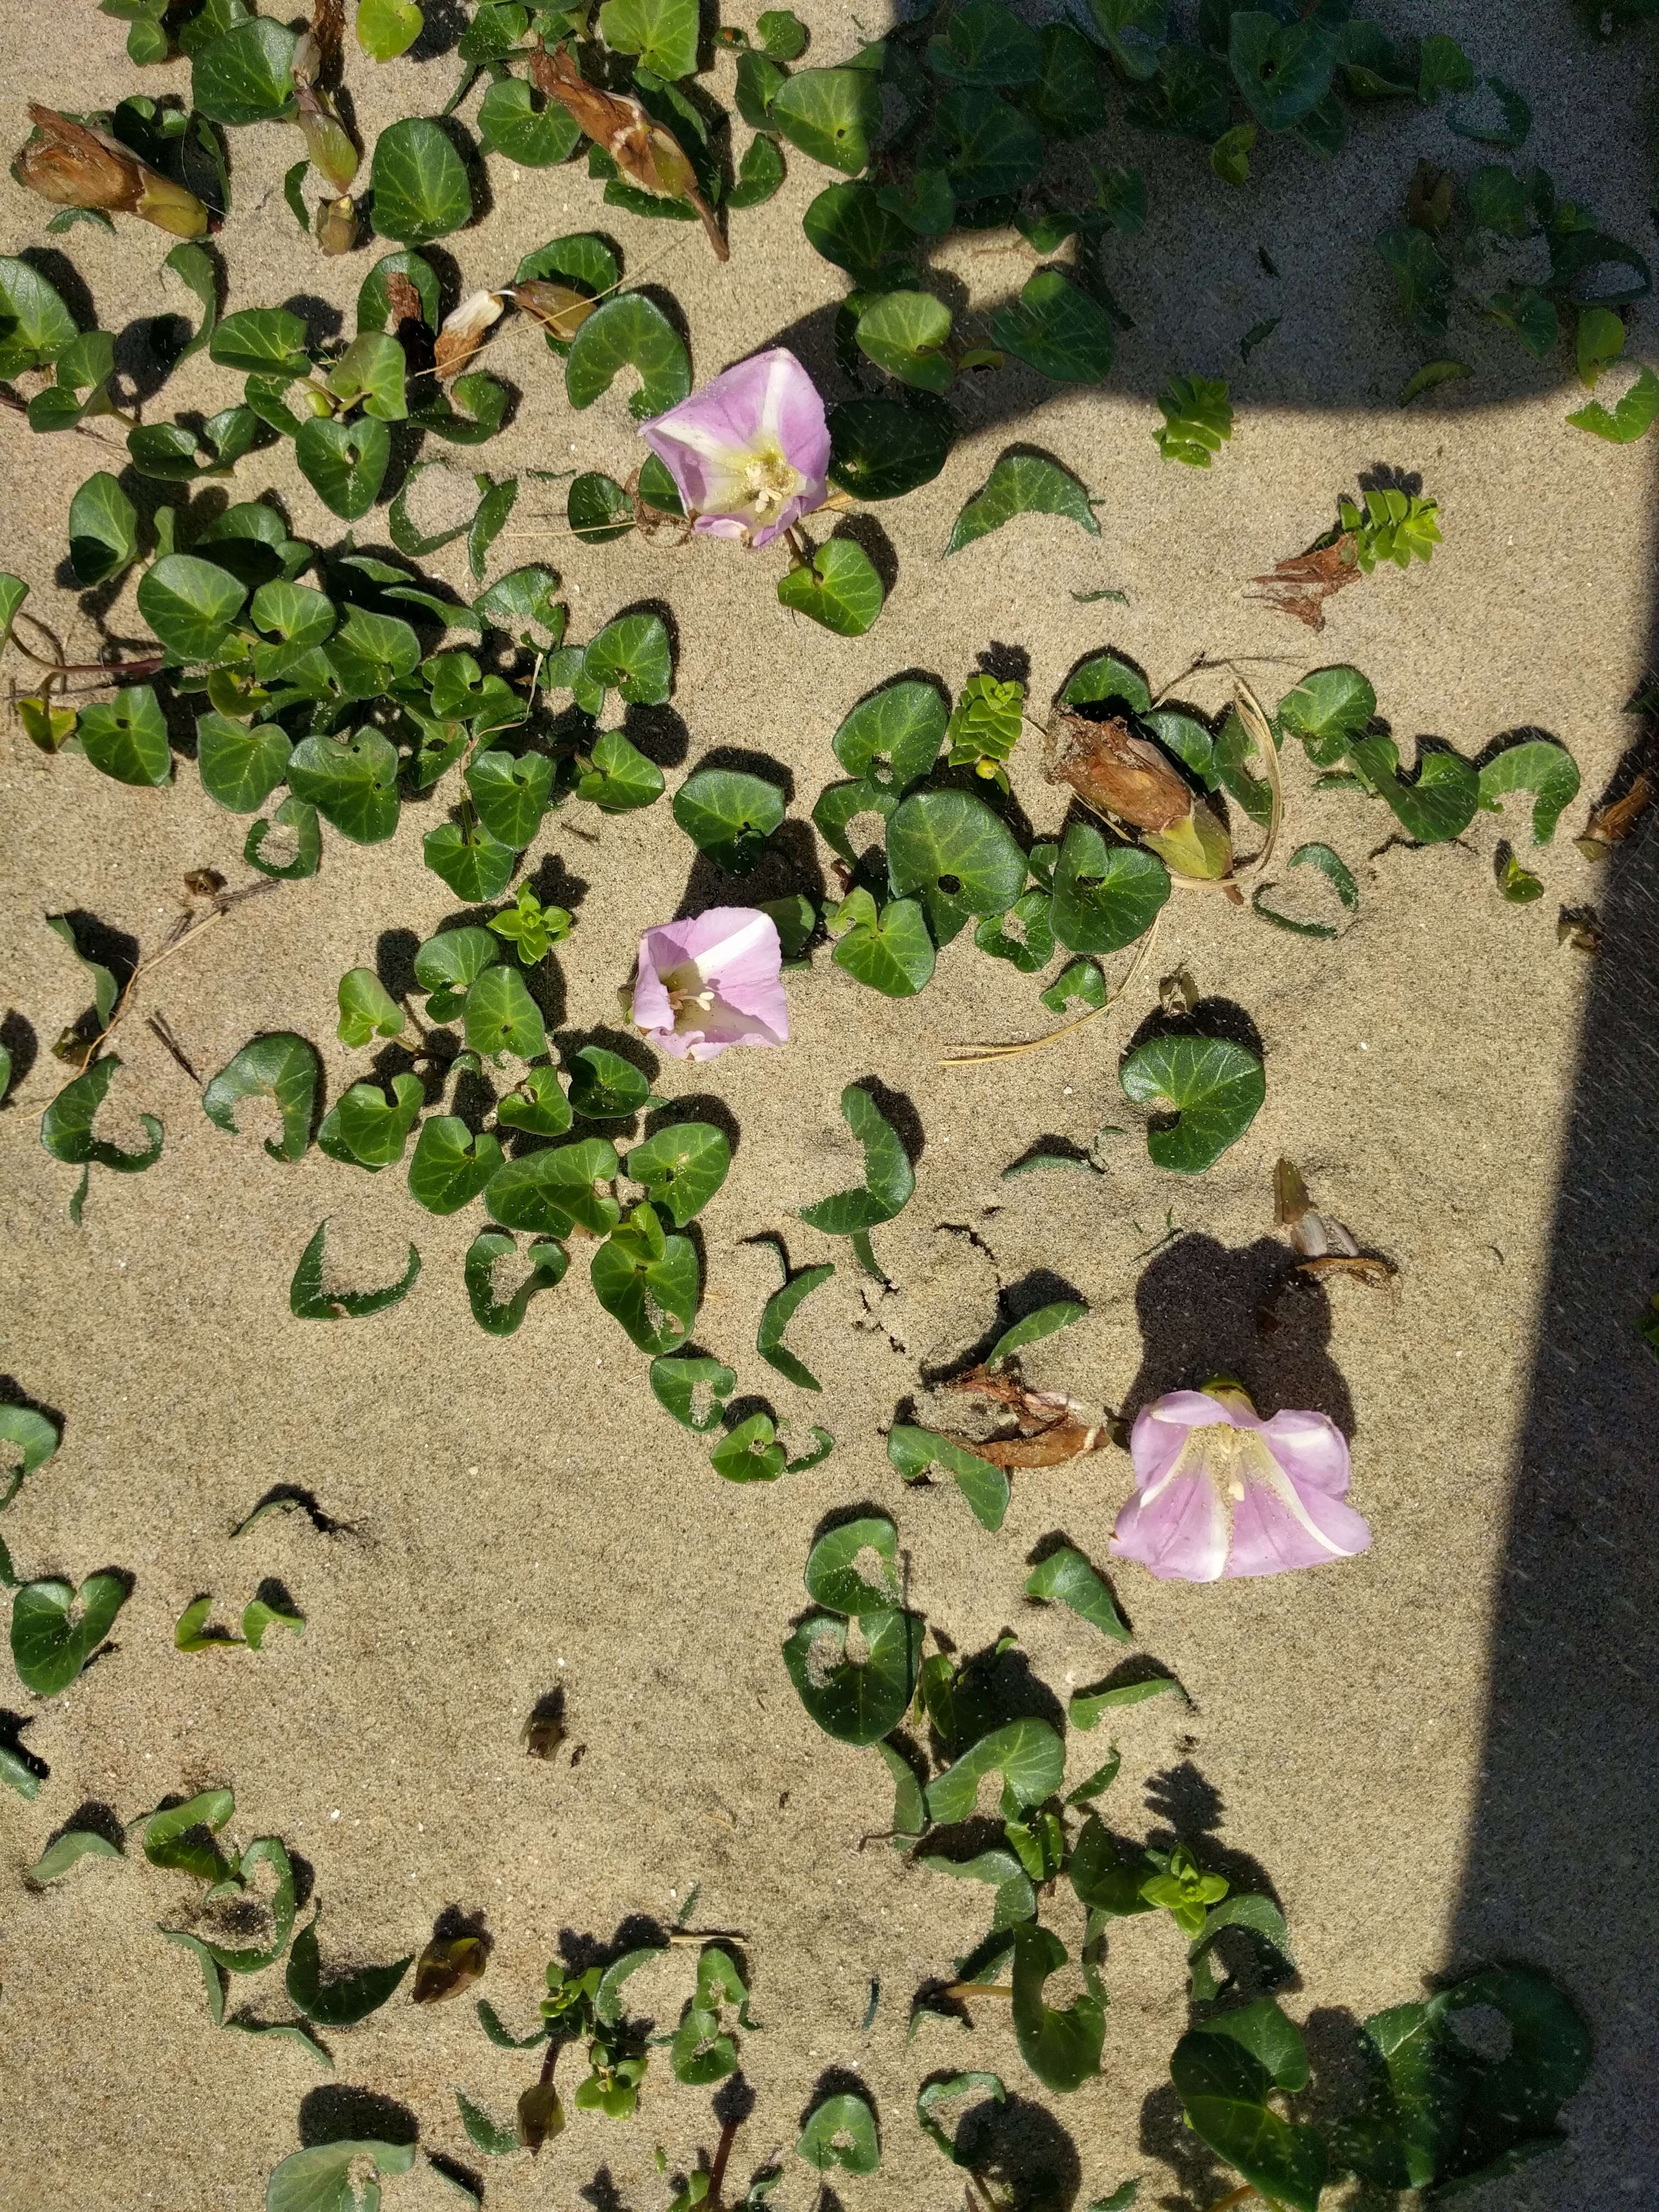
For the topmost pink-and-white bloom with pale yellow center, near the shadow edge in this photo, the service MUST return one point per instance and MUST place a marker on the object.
(749, 452)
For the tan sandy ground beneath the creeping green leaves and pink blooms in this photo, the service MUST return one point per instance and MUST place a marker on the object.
(519, 1516)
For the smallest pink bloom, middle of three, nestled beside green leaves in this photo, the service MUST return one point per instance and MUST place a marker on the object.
(711, 983)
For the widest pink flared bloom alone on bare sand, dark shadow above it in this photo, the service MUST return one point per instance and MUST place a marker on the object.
(1224, 1492)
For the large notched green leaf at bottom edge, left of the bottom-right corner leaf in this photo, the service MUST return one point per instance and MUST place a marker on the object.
(1224, 2074)
